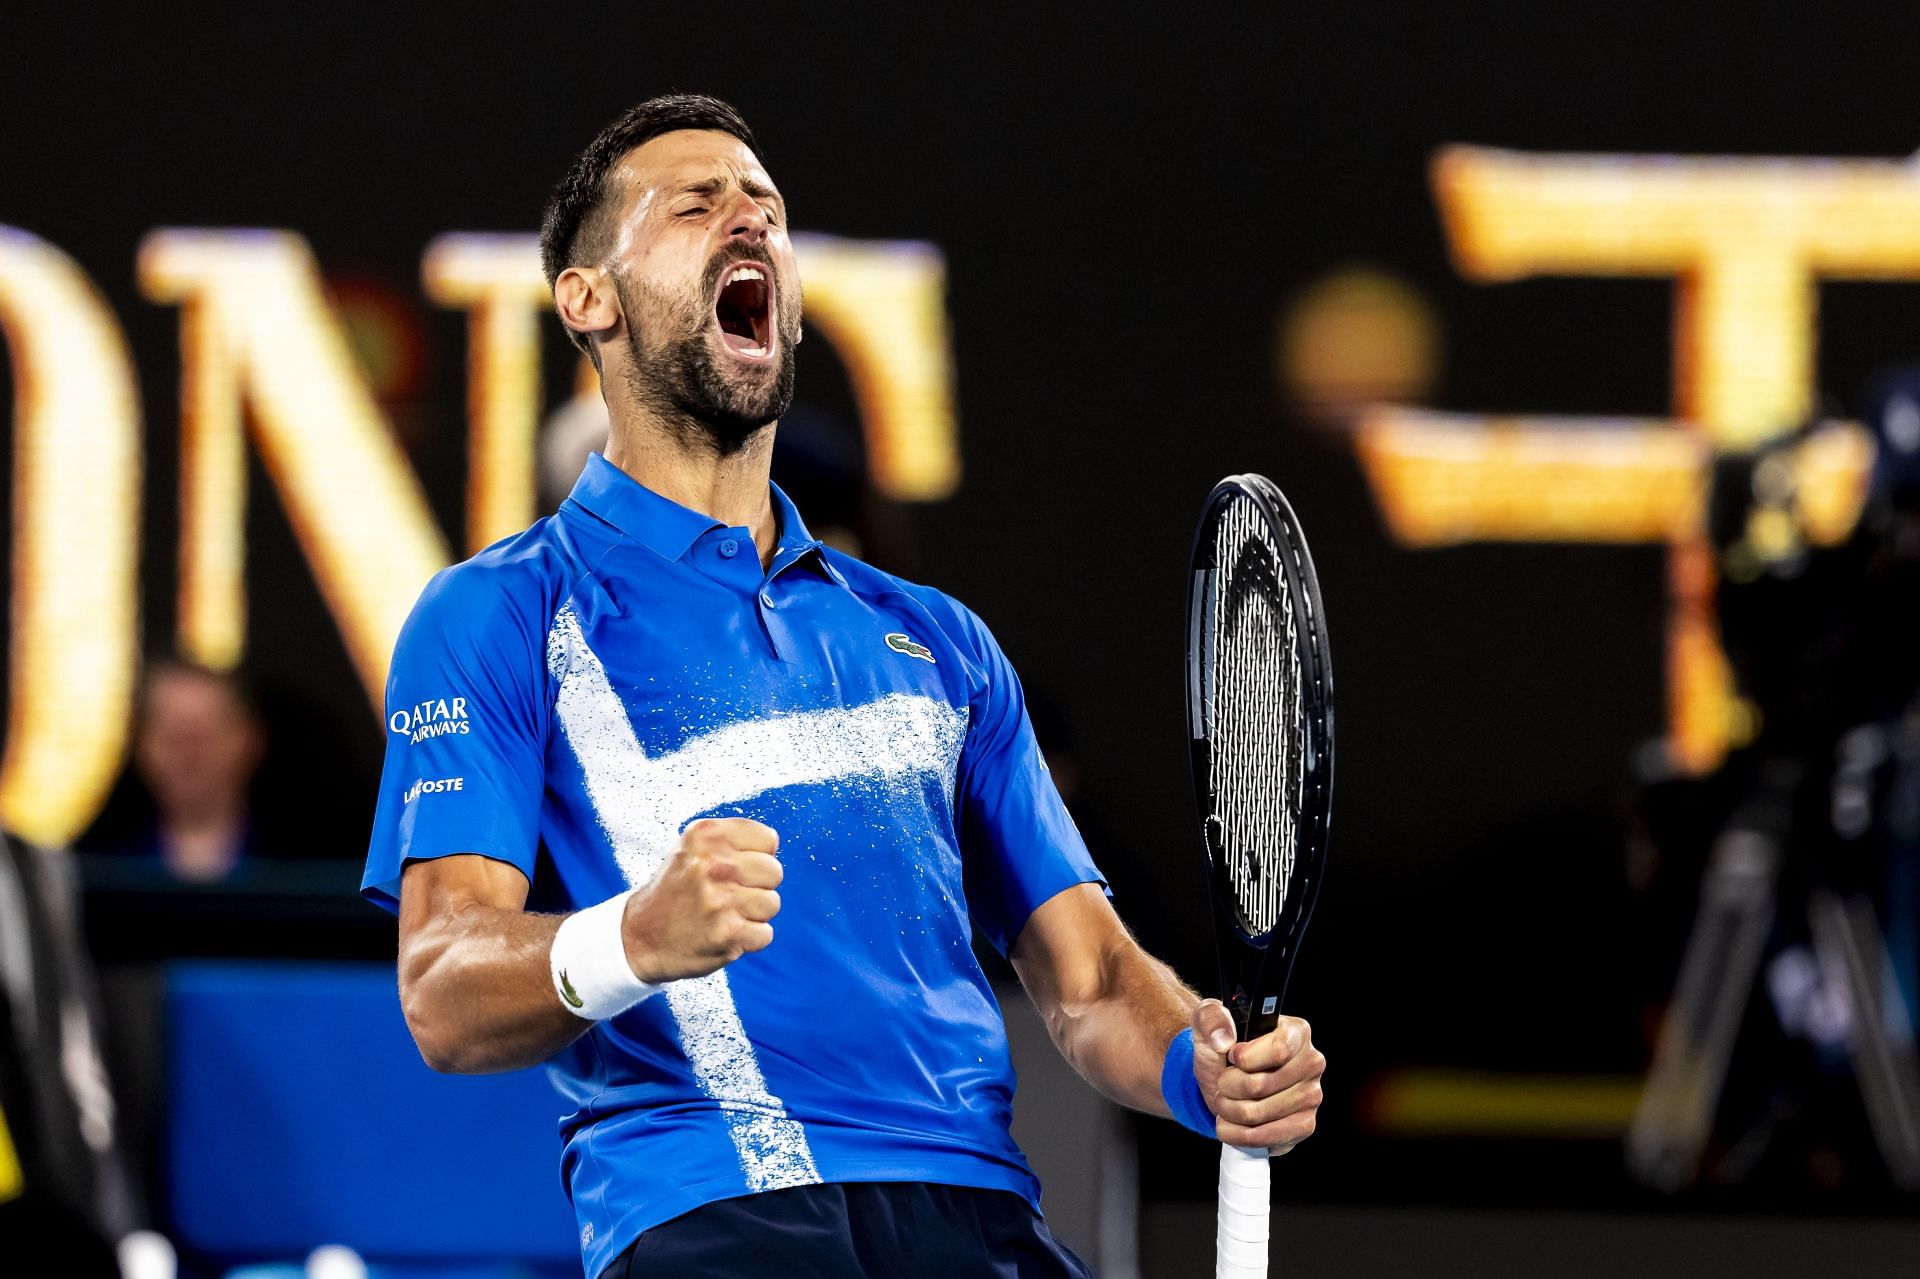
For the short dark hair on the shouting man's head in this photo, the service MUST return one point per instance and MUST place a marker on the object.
(577, 229)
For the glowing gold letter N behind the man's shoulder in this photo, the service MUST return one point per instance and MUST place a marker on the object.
(258, 333)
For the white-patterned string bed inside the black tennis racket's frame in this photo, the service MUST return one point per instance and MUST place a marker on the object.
(1259, 746)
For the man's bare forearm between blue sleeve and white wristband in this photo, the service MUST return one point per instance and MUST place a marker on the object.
(477, 990)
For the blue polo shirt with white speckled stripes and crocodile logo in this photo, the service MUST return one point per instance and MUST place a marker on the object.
(573, 698)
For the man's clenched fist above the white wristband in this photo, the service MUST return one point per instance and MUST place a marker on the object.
(709, 905)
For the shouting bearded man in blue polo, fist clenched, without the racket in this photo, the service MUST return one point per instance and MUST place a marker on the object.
(627, 740)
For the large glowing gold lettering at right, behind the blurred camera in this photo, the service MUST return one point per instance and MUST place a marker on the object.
(1746, 243)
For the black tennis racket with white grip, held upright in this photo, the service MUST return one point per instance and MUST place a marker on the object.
(1260, 710)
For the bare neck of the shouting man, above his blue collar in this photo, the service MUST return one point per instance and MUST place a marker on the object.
(732, 489)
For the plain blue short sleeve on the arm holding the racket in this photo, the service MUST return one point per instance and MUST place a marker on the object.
(1017, 840)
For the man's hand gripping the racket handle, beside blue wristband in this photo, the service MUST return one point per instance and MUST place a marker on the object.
(1264, 1092)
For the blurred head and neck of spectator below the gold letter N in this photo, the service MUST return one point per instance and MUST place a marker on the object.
(197, 750)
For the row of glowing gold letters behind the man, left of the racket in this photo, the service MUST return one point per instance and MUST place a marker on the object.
(264, 360)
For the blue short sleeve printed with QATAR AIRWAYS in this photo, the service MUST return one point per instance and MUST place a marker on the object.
(466, 731)
